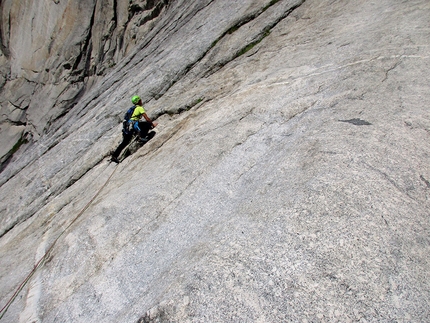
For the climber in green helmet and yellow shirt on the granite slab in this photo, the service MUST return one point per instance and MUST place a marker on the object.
(134, 126)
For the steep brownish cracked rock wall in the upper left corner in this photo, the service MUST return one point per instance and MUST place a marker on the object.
(53, 51)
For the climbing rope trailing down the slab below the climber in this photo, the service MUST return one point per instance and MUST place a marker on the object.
(45, 256)
